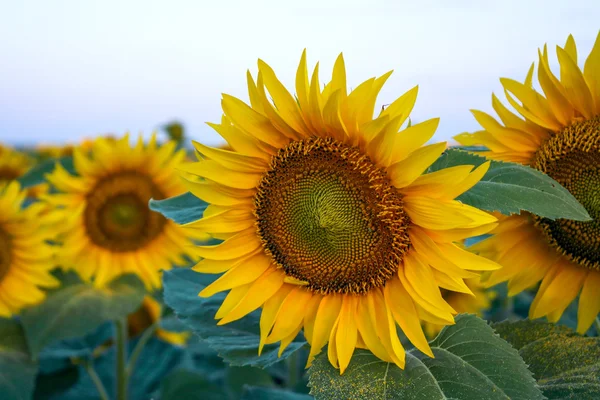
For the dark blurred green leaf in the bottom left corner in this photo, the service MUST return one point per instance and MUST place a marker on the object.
(17, 371)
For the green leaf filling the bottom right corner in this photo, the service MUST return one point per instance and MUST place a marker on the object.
(565, 364)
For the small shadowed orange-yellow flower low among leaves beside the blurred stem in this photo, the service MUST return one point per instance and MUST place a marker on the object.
(148, 314)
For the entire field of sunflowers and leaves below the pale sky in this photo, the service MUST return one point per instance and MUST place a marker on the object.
(329, 250)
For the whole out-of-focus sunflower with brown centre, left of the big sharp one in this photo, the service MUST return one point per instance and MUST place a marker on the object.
(109, 229)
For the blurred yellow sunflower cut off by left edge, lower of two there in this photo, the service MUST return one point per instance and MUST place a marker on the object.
(25, 257)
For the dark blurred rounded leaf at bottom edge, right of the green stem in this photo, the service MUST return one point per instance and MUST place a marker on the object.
(189, 385)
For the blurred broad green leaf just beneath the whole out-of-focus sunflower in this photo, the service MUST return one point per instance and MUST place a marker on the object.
(78, 309)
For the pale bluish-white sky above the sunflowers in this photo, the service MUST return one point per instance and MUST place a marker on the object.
(74, 69)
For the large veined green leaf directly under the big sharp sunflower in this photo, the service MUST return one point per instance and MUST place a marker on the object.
(471, 362)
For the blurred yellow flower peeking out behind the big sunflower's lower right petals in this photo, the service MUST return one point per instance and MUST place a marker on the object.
(475, 302)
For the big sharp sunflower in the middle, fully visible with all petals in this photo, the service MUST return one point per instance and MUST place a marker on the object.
(329, 223)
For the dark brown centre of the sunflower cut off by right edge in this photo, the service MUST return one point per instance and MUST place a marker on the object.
(572, 158)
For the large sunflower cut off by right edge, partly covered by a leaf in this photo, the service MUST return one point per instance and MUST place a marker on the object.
(559, 134)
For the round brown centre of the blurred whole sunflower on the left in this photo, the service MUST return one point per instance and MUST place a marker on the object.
(117, 216)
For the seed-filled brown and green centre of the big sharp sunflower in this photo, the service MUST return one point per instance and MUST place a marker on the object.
(328, 216)
